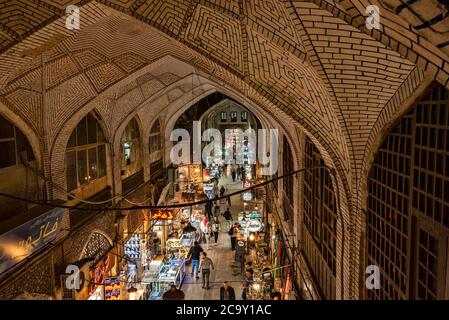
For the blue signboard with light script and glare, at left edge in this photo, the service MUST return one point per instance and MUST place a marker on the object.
(22, 241)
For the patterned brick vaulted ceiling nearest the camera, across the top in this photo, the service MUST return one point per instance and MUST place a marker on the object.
(314, 61)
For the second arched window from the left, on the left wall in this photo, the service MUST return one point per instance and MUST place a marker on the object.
(85, 153)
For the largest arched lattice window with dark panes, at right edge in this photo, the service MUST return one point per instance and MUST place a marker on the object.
(407, 222)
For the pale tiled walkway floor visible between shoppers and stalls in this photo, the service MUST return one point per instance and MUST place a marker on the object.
(222, 257)
